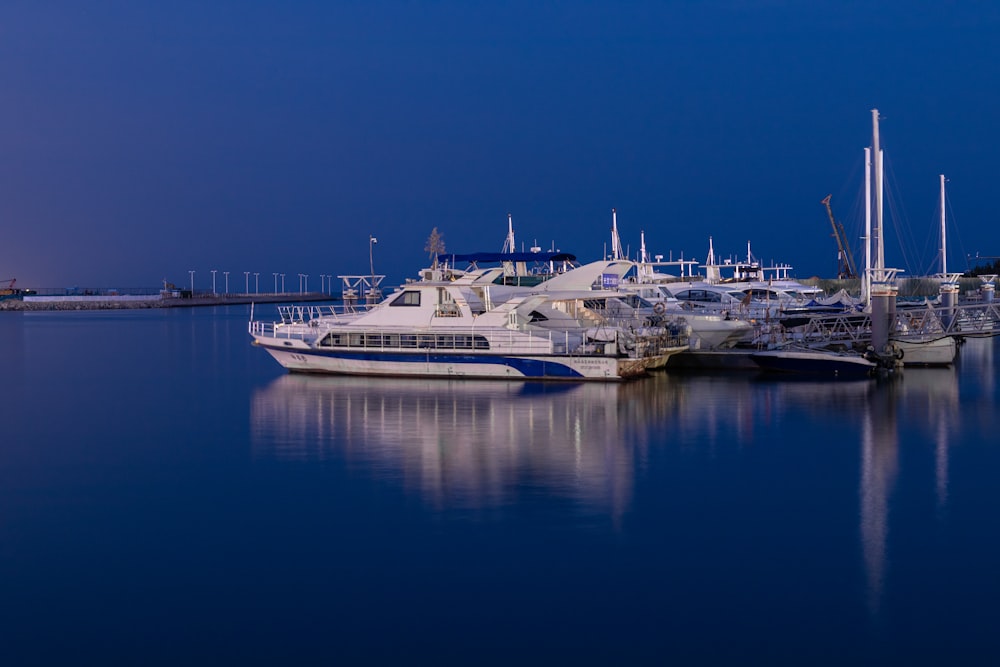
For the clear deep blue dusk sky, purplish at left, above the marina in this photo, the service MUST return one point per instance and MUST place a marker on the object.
(142, 139)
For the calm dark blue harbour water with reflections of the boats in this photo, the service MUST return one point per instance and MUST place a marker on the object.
(169, 495)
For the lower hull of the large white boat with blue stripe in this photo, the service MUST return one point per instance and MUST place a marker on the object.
(304, 359)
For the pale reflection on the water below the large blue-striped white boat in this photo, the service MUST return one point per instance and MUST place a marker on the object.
(462, 443)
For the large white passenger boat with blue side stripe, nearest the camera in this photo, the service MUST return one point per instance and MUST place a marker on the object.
(455, 328)
